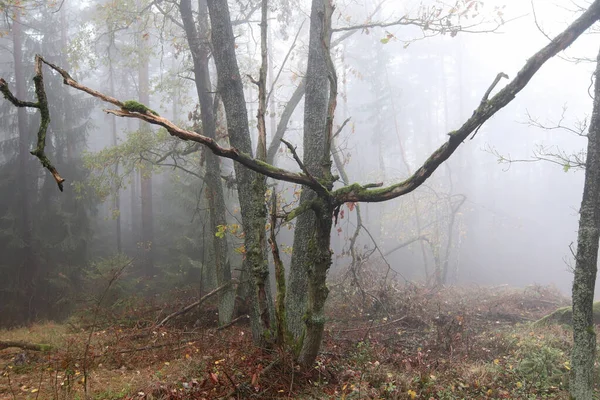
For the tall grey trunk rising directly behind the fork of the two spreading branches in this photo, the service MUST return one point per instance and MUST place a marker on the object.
(315, 118)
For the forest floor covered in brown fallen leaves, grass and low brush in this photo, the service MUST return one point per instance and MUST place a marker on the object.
(394, 341)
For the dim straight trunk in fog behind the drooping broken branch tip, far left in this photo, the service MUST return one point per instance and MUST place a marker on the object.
(29, 271)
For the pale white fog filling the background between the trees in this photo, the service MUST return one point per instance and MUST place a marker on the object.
(402, 92)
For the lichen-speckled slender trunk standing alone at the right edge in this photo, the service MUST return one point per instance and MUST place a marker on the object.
(584, 336)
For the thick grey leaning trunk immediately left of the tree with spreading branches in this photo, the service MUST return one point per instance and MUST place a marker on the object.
(251, 187)
